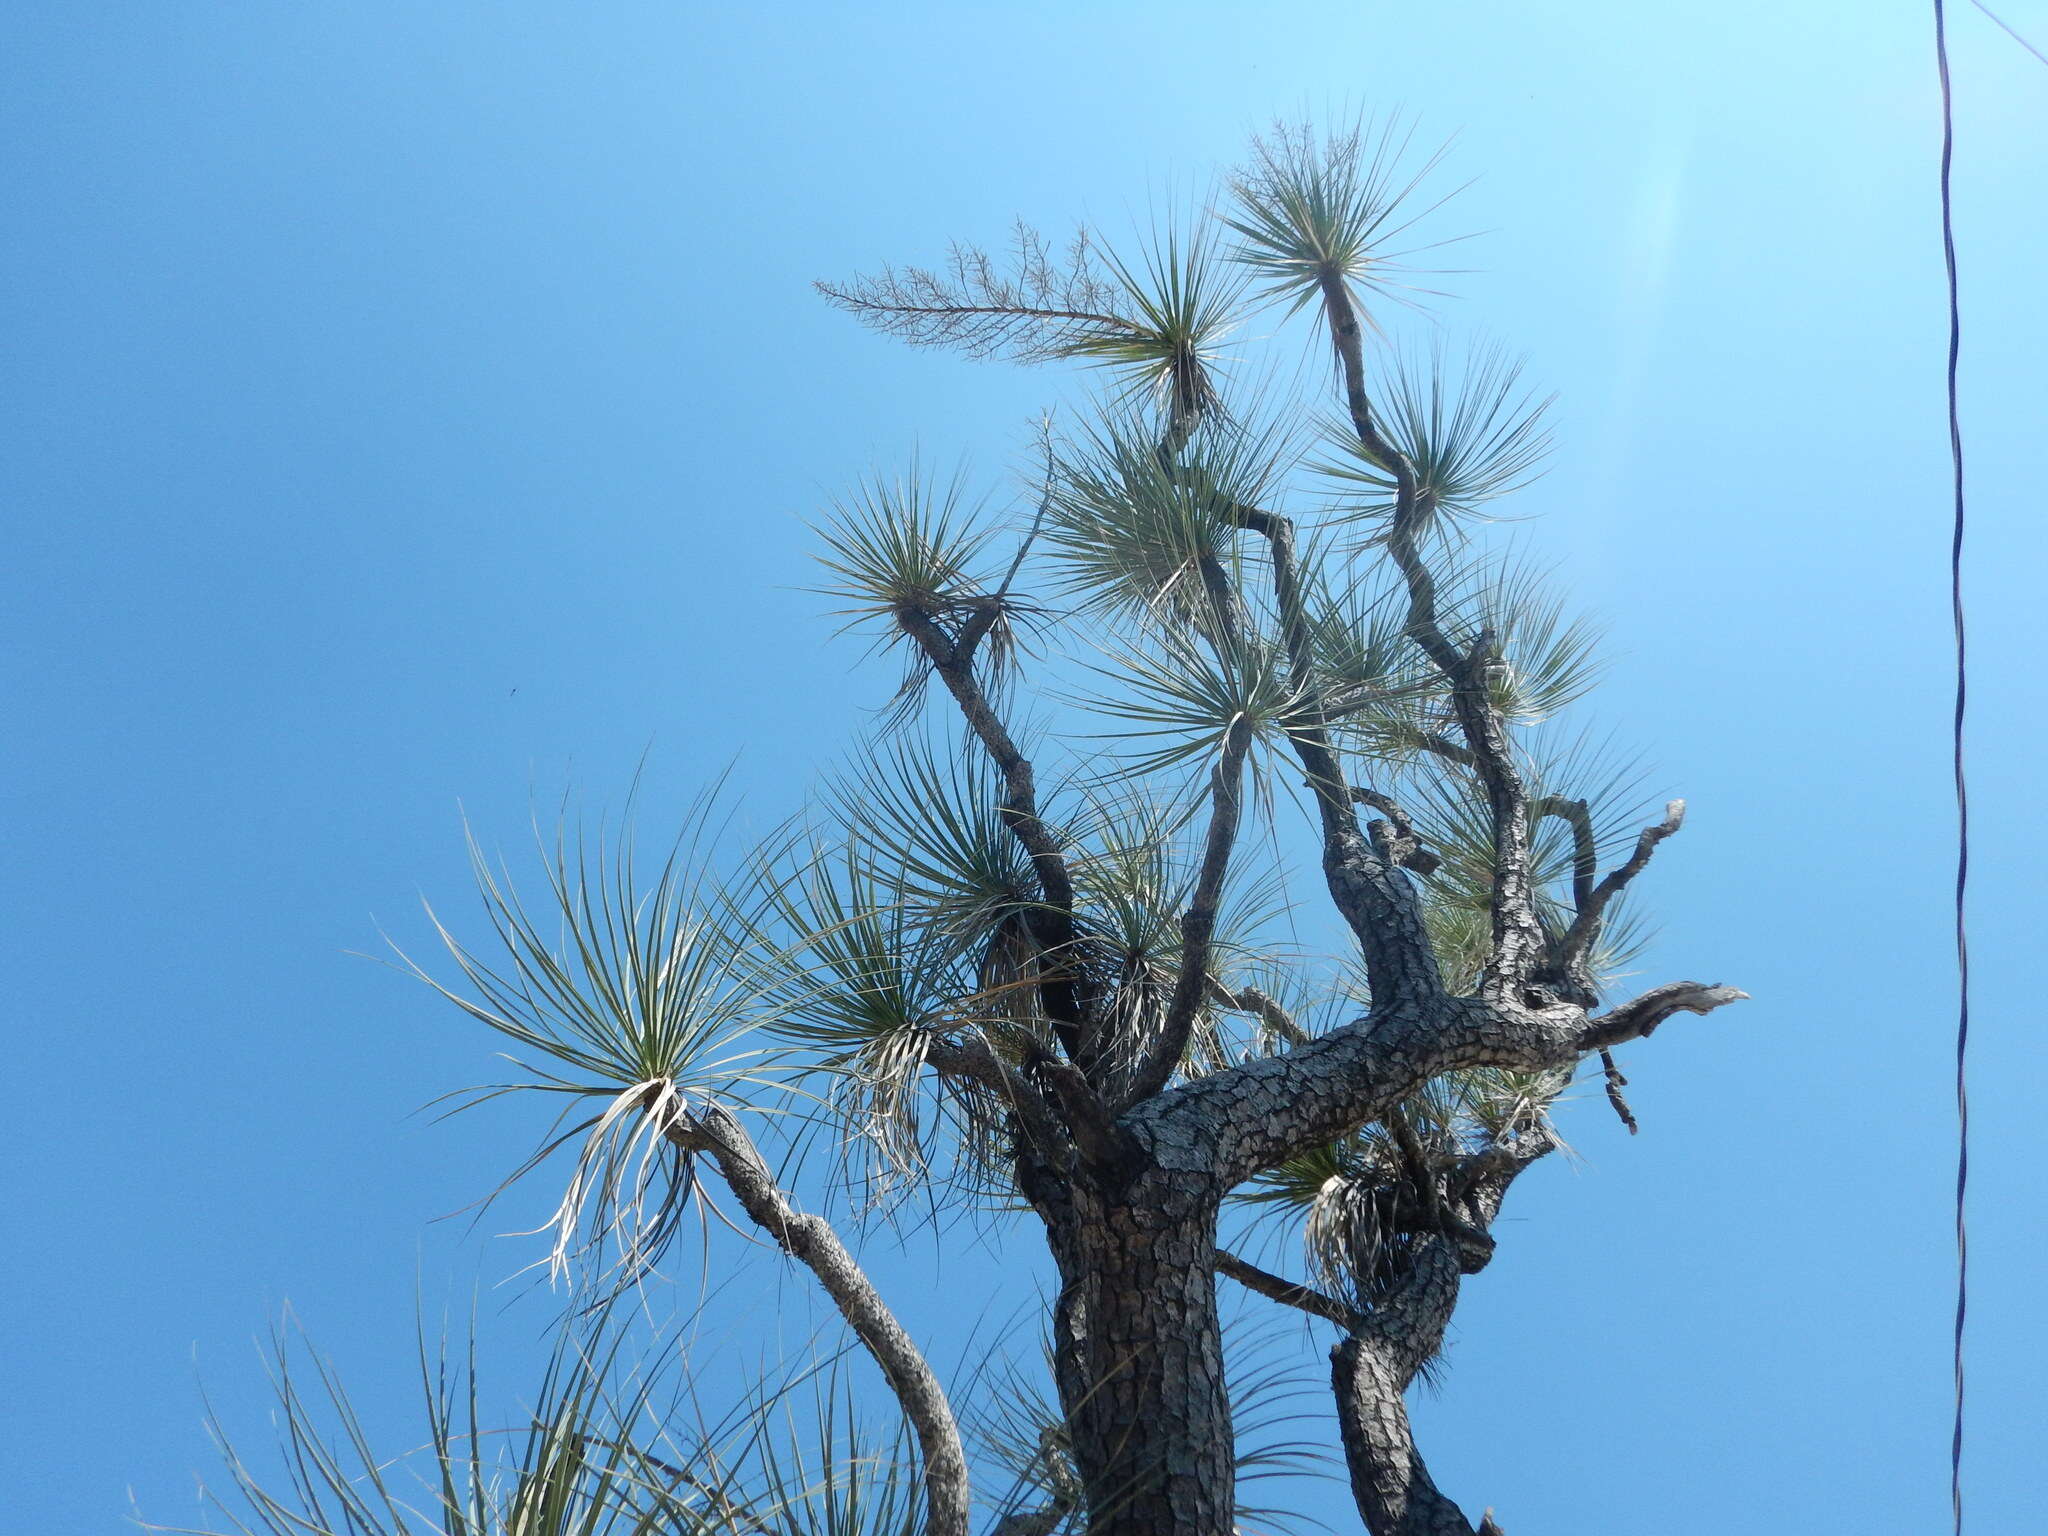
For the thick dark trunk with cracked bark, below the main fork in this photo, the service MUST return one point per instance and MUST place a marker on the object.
(1140, 1357)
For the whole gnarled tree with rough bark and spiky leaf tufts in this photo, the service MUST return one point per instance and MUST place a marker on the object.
(1043, 972)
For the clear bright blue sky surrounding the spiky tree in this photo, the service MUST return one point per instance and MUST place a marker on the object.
(415, 407)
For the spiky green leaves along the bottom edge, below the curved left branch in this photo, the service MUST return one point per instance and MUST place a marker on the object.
(607, 1447)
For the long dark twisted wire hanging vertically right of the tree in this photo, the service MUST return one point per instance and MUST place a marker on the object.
(1963, 794)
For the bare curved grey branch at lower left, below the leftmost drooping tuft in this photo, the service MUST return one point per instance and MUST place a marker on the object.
(814, 1244)
